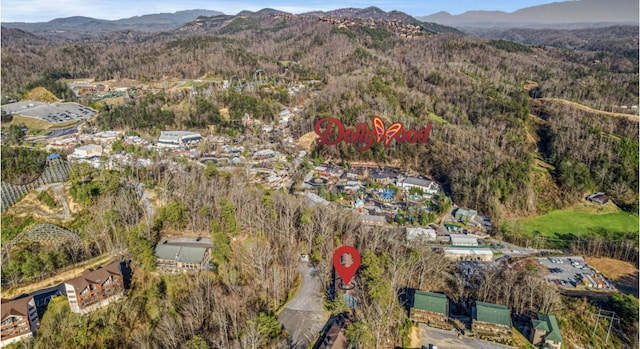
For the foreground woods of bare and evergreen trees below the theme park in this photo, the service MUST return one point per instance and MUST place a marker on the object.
(257, 238)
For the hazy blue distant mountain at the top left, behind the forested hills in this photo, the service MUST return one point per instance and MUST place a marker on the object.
(86, 25)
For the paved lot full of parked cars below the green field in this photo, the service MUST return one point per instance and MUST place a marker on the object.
(566, 272)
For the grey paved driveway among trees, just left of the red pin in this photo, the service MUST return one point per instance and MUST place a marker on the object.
(304, 316)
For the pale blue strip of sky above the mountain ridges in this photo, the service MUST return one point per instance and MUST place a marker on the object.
(45, 10)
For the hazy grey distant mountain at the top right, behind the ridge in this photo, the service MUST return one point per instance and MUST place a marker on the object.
(567, 14)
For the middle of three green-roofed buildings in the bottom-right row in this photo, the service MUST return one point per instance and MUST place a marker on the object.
(491, 320)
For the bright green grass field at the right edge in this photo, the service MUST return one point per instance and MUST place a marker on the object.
(579, 222)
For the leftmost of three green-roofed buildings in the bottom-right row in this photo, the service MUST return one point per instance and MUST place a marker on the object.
(431, 309)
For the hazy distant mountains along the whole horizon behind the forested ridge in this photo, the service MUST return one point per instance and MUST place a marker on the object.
(567, 15)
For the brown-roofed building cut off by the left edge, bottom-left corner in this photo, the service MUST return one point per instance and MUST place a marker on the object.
(19, 320)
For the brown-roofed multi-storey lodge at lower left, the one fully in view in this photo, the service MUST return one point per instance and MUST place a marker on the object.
(95, 289)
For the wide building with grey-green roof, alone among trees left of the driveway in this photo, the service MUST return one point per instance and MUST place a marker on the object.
(176, 257)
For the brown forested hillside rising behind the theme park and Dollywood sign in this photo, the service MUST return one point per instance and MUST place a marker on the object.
(484, 145)
